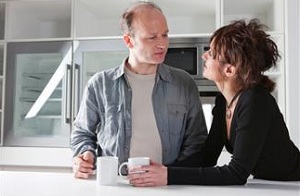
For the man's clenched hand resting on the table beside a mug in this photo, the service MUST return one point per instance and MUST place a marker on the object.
(83, 165)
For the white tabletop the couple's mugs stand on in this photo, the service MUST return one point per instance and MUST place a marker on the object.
(16, 183)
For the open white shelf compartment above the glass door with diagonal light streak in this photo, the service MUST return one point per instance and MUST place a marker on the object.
(38, 19)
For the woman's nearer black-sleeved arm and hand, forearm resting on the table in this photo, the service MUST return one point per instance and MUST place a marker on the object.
(252, 118)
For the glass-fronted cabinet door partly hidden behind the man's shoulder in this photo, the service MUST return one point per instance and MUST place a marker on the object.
(93, 56)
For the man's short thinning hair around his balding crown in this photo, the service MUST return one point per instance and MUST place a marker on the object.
(129, 13)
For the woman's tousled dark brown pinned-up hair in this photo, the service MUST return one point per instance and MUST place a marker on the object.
(249, 48)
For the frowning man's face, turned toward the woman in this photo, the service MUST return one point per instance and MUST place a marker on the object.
(150, 41)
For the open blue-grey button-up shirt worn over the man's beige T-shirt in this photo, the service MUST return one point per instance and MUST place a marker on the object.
(104, 118)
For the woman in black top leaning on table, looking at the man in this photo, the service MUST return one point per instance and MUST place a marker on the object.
(246, 117)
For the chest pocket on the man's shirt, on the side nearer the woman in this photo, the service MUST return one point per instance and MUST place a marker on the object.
(176, 118)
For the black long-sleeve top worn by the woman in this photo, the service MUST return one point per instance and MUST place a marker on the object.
(259, 143)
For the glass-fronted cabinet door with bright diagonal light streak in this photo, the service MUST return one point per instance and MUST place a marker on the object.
(37, 94)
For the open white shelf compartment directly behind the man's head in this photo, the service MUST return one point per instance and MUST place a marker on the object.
(189, 17)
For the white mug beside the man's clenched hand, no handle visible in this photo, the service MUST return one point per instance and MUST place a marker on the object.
(107, 170)
